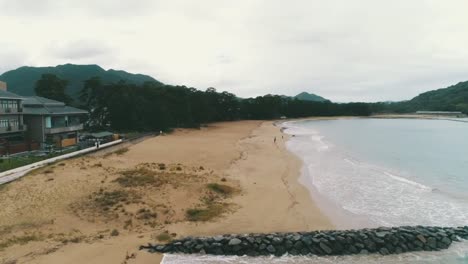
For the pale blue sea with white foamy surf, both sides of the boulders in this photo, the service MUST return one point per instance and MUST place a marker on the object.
(378, 172)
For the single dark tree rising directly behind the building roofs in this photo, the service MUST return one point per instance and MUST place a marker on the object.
(52, 87)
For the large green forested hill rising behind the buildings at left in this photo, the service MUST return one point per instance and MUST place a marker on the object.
(23, 79)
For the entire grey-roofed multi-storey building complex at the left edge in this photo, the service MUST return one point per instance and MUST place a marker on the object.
(28, 123)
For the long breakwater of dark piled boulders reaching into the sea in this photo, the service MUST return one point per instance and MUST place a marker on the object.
(381, 240)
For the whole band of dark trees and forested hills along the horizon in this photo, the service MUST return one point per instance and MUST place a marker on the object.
(125, 102)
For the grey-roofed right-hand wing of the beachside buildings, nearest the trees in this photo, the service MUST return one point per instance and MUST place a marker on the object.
(52, 122)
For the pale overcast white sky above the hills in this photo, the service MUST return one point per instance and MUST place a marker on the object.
(343, 50)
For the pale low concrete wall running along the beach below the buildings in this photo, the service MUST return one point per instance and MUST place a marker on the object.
(11, 175)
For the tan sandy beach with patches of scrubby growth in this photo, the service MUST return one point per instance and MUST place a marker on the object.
(100, 208)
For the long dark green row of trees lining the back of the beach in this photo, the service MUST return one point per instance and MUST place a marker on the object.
(152, 106)
